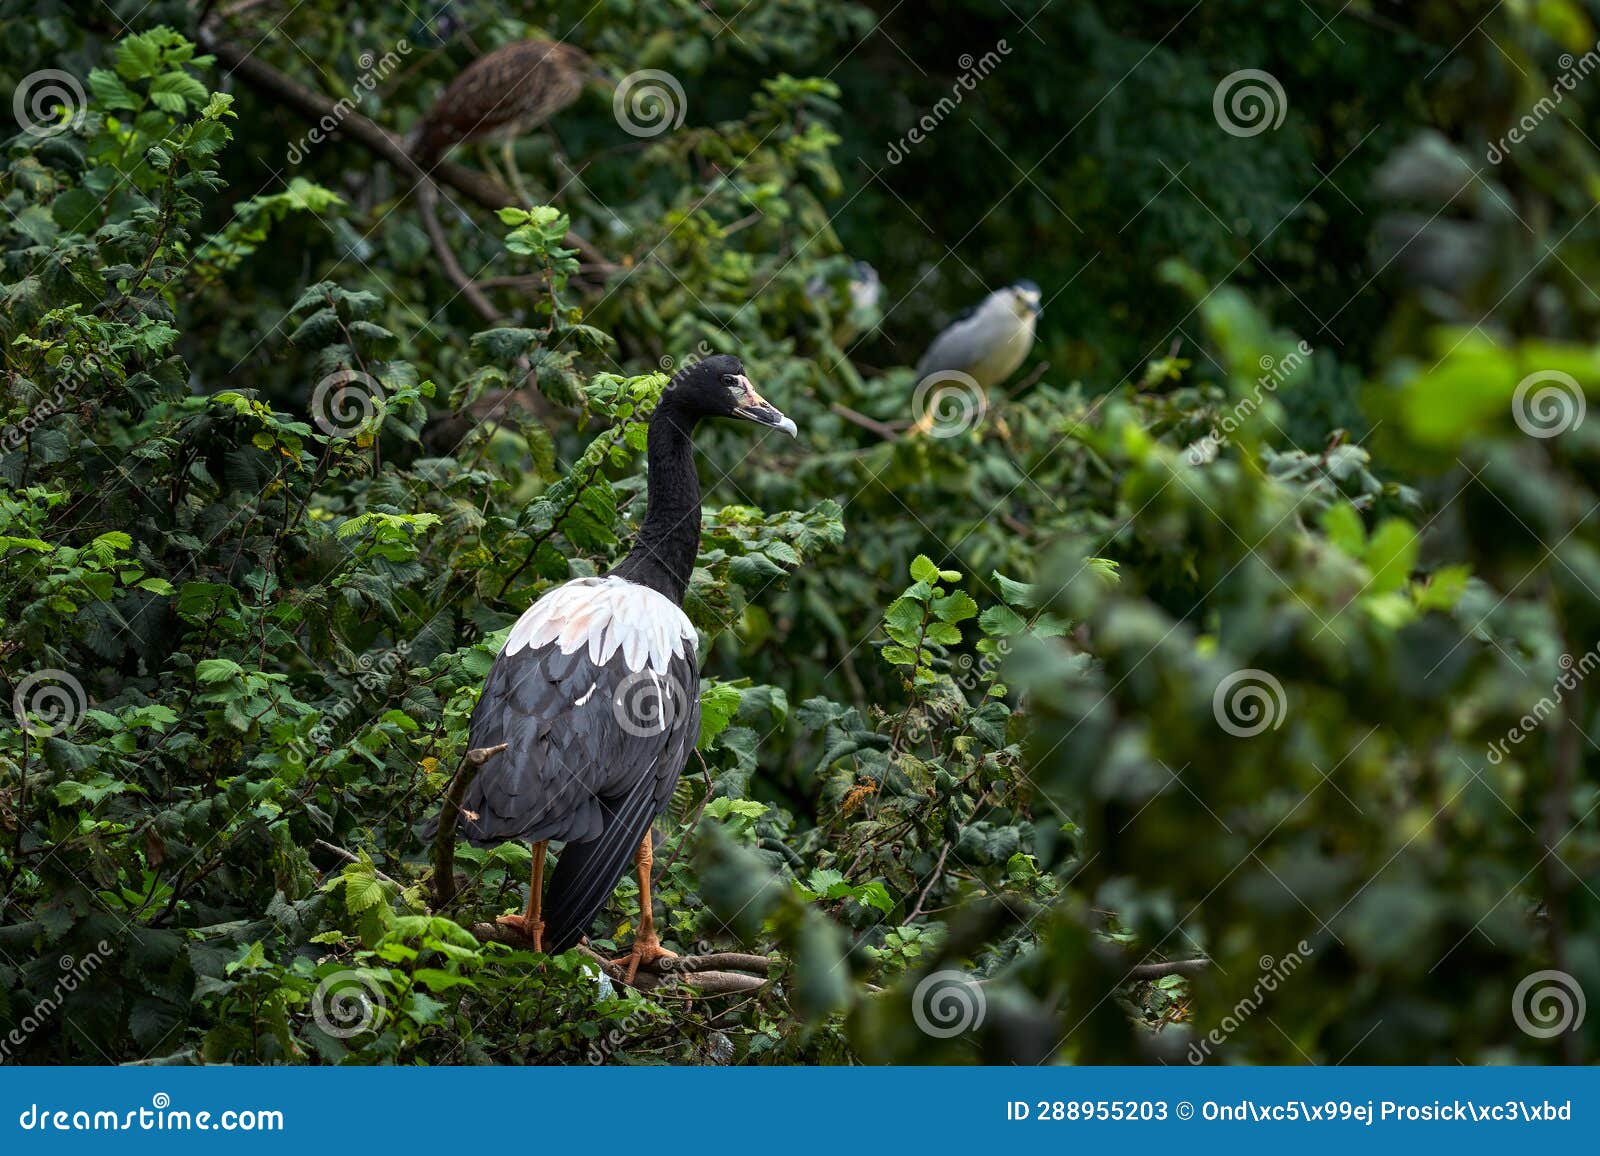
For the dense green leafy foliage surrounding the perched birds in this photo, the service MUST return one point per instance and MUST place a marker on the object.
(977, 700)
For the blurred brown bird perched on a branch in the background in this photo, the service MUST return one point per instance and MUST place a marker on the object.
(503, 95)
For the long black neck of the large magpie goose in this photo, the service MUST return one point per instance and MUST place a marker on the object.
(668, 544)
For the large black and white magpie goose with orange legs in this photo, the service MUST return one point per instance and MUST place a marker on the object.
(598, 692)
